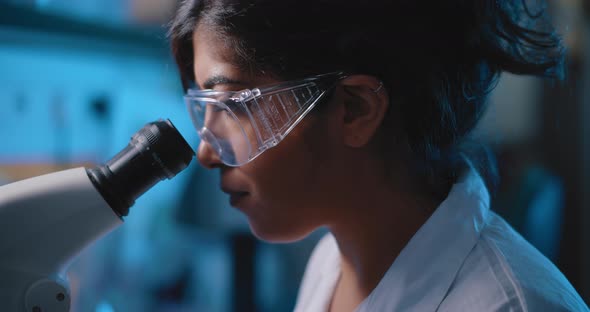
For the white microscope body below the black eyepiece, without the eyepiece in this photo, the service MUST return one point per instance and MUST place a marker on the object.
(44, 222)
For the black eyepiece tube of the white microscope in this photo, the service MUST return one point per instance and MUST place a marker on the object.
(156, 152)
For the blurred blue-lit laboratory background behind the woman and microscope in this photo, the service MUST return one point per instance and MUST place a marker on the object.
(79, 77)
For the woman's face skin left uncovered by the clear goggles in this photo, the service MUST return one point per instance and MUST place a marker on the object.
(284, 192)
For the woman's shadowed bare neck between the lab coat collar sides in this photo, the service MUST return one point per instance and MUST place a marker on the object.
(374, 224)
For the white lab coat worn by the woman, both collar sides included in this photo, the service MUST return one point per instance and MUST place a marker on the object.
(464, 258)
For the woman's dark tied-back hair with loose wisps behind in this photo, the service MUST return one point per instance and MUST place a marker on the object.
(438, 59)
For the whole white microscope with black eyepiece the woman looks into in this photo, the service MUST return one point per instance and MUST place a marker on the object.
(45, 221)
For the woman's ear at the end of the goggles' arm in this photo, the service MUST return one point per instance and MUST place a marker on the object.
(365, 104)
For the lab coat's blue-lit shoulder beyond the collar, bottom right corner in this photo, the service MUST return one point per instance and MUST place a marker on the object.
(504, 272)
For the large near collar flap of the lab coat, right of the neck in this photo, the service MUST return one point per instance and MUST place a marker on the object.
(422, 274)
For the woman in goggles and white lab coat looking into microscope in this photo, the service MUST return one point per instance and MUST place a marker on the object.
(355, 116)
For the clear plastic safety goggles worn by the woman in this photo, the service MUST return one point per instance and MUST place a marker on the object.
(240, 125)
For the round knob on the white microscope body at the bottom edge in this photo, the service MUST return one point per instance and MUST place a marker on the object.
(47, 295)
